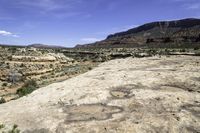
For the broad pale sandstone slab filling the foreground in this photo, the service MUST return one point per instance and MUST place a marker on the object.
(129, 95)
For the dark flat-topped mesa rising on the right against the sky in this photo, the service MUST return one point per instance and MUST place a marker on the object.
(179, 33)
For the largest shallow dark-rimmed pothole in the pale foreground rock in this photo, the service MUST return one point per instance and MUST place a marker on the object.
(88, 112)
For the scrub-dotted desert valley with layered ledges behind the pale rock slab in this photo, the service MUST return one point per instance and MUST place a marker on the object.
(68, 63)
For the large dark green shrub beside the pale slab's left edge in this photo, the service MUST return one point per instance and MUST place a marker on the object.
(27, 88)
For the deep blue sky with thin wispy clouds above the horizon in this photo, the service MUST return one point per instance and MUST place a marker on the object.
(71, 22)
